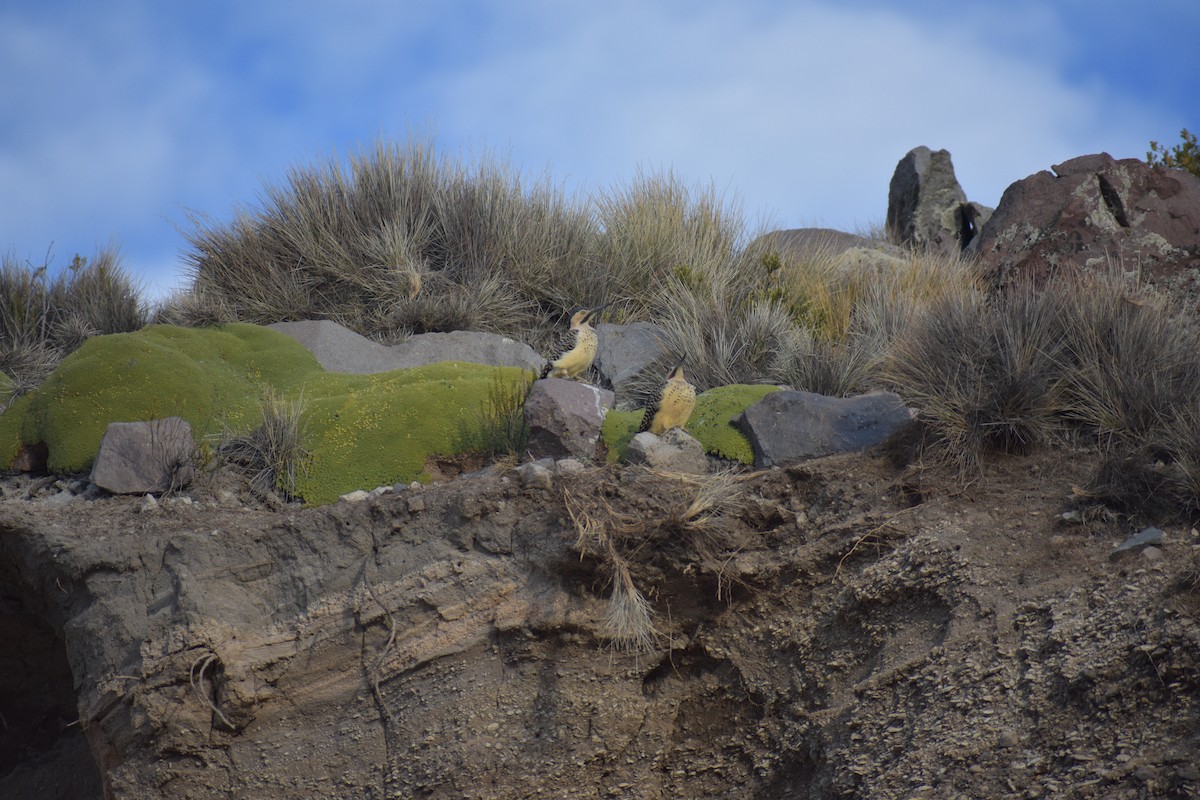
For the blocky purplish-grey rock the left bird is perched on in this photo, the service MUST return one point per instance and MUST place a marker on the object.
(565, 418)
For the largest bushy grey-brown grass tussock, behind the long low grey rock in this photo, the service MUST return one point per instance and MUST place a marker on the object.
(392, 242)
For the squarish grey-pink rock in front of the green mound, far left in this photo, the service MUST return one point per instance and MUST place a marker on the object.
(141, 458)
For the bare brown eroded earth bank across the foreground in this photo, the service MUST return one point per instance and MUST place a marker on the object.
(841, 629)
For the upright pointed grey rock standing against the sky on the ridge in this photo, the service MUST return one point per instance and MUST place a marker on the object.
(927, 208)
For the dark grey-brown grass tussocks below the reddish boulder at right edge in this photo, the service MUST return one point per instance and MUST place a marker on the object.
(1089, 359)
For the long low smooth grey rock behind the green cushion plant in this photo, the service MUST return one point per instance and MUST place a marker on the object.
(340, 350)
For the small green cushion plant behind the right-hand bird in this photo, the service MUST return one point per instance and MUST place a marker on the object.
(711, 424)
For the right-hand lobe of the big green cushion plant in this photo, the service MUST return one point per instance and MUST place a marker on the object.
(369, 431)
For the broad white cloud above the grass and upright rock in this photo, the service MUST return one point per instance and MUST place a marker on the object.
(806, 113)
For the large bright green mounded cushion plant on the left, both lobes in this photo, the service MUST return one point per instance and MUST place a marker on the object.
(363, 431)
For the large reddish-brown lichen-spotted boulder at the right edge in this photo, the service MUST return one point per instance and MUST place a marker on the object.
(1096, 213)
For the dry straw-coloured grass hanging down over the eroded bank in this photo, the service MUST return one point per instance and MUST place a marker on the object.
(695, 516)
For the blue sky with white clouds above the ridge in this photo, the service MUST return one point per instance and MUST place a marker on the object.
(121, 118)
